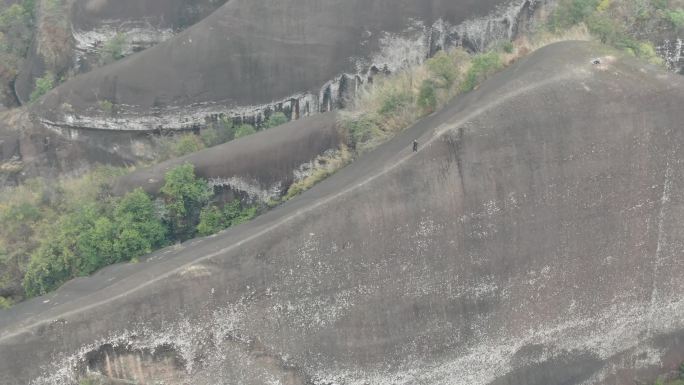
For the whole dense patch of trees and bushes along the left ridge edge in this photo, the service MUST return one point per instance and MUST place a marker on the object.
(55, 233)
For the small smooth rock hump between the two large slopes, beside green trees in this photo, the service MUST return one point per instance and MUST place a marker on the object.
(259, 166)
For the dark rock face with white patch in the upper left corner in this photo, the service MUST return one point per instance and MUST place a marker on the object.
(85, 26)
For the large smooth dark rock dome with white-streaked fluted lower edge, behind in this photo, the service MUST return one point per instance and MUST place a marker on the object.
(302, 56)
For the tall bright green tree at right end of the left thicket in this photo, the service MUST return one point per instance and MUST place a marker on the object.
(185, 195)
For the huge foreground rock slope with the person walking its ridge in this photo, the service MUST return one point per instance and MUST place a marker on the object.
(535, 238)
